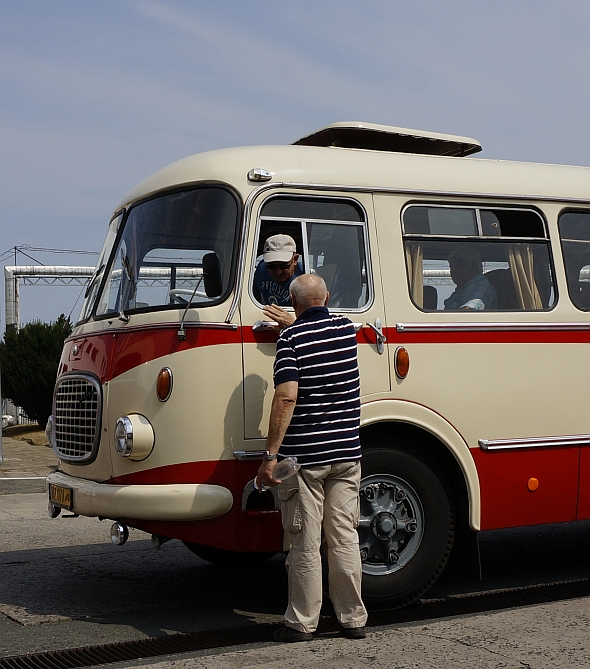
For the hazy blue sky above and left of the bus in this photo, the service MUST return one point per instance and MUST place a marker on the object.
(96, 95)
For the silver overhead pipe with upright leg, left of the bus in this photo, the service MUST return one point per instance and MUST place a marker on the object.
(55, 275)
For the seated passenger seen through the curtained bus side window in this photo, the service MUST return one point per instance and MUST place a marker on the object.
(474, 292)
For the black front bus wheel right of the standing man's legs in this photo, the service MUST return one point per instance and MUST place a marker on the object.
(407, 524)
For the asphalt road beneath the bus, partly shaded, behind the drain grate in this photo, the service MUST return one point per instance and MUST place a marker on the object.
(63, 584)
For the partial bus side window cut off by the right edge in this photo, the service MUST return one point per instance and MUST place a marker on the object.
(574, 231)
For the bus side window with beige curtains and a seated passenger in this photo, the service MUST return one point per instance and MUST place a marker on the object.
(476, 259)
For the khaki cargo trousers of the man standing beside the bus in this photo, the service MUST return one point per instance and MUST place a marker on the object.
(323, 497)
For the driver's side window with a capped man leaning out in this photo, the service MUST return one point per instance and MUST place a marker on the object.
(329, 238)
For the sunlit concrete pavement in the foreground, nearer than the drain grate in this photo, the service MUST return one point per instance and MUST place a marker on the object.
(538, 637)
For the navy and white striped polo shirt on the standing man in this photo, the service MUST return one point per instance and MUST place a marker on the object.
(319, 352)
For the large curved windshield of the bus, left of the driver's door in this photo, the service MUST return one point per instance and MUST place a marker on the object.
(158, 261)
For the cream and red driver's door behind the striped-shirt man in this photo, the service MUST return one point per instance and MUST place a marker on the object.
(335, 238)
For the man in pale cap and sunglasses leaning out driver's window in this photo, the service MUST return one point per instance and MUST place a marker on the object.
(280, 265)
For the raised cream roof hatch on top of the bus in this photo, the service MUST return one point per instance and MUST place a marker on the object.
(355, 135)
